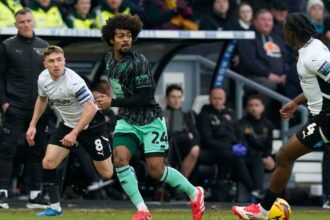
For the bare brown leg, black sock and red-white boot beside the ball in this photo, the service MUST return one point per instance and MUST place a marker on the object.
(285, 158)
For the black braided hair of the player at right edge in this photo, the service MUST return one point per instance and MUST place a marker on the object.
(301, 26)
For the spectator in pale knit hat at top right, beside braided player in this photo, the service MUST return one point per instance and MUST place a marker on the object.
(315, 11)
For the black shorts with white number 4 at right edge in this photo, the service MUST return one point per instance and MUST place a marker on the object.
(316, 132)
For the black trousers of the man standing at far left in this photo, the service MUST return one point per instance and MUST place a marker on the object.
(16, 122)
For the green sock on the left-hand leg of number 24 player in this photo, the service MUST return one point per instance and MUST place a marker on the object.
(128, 181)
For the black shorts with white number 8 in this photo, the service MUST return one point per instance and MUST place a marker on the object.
(94, 140)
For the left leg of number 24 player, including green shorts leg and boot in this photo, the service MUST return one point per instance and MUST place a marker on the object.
(124, 146)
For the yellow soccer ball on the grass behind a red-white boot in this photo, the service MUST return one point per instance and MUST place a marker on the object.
(280, 210)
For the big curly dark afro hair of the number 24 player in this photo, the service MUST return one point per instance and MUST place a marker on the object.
(121, 21)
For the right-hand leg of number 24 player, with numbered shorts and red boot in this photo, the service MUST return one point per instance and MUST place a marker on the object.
(155, 148)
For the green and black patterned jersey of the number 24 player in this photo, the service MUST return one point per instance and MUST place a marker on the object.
(134, 87)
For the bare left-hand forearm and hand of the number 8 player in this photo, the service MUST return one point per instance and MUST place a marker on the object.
(39, 109)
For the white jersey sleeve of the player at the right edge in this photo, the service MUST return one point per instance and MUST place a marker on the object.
(320, 66)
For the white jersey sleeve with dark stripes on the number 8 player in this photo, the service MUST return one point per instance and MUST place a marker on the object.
(81, 91)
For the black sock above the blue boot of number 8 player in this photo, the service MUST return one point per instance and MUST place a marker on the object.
(52, 187)
